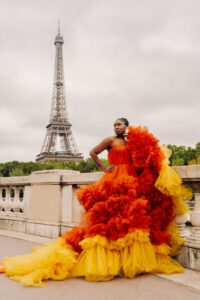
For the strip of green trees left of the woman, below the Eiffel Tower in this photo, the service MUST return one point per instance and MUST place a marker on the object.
(16, 168)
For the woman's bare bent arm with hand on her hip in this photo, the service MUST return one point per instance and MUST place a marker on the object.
(100, 148)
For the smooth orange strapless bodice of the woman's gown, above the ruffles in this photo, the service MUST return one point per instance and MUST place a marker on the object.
(119, 155)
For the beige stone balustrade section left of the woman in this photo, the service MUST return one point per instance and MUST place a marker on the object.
(43, 203)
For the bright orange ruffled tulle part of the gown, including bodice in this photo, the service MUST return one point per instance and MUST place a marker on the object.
(126, 199)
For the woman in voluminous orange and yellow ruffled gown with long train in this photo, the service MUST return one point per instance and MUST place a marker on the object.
(128, 223)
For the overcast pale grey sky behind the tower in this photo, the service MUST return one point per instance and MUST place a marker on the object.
(122, 58)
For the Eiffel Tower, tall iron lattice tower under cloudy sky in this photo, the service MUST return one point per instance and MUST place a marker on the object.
(59, 142)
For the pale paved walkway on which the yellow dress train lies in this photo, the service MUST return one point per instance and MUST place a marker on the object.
(143, 287)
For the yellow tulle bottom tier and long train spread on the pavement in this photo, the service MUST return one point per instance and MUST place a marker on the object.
(100, 260)
